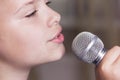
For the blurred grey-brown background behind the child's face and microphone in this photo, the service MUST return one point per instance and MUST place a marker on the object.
(101, 17)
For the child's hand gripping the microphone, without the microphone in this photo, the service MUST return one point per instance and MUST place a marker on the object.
(109, 68)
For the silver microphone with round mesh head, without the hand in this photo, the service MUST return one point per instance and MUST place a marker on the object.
(88, 48)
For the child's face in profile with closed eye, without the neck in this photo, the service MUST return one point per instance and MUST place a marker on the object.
(30, 33)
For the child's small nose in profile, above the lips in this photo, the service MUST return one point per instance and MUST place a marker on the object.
(54, 18)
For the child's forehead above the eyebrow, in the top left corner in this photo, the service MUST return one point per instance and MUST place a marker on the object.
(9, 7)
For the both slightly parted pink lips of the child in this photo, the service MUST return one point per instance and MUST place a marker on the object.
(59, 38)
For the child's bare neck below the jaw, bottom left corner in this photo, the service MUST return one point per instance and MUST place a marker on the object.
(8, 72)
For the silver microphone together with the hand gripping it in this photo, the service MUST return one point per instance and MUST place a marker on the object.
(89, 48)
